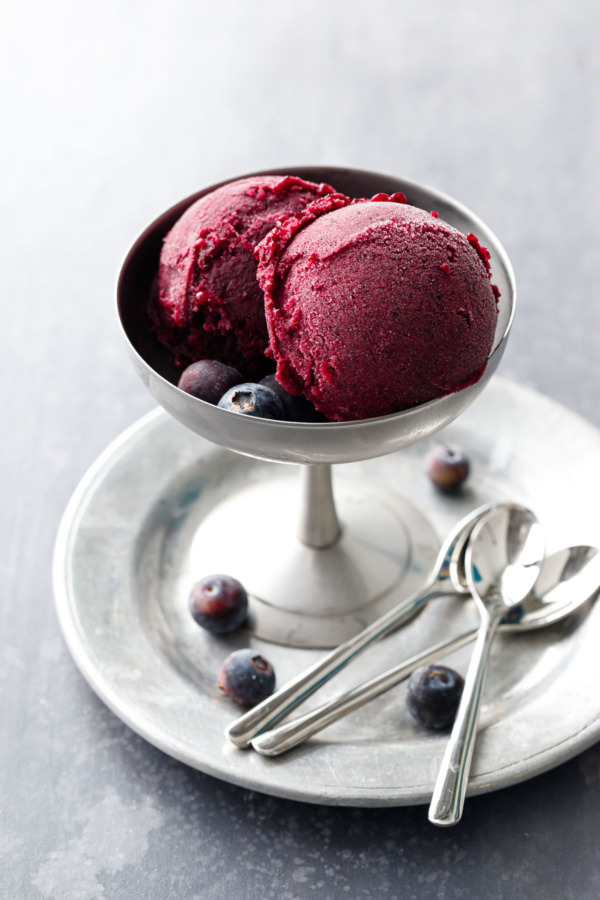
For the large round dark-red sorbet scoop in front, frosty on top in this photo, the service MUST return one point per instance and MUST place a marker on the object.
(375, 306)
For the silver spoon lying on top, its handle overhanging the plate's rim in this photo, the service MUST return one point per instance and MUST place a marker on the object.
(502, 564)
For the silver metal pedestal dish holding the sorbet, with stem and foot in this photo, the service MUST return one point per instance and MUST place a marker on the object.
(317, 570)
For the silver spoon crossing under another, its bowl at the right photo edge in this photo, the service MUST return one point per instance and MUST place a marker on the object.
(565, 583)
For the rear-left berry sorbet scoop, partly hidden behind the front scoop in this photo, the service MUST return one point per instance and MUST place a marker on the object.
(209, 304)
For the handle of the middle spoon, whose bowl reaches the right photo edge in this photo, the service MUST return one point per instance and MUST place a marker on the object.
(290, 734)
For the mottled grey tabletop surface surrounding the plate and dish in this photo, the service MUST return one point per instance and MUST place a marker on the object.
(113, 111)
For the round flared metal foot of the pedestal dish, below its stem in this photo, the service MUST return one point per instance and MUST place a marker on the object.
(307, 597)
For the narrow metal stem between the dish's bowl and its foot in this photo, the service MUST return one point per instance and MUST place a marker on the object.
(319, 526)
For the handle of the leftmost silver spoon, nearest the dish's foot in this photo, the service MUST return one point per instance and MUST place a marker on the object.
(279, 704)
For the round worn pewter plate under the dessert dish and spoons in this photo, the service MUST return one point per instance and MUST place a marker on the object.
(123, 570)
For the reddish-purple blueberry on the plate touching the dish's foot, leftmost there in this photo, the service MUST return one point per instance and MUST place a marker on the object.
(219, 603)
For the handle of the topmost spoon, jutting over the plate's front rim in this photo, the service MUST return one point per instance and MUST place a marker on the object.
(451, 786)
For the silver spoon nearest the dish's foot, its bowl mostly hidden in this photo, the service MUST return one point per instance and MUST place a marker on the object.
(447, 579)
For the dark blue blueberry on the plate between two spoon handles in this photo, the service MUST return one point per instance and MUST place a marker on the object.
(433, 695)
